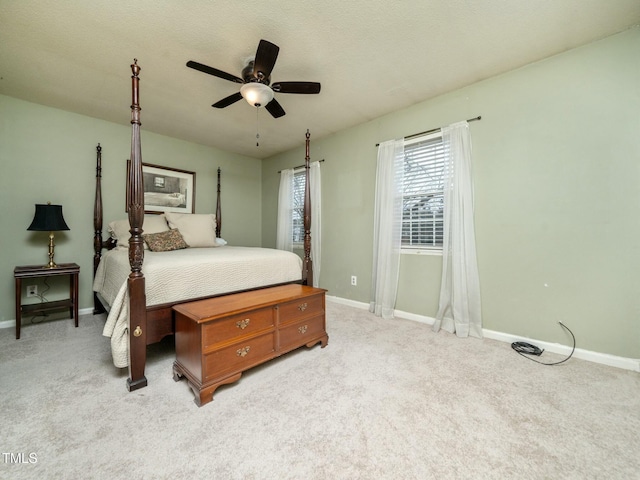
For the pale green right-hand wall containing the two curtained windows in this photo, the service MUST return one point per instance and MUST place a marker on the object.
(556, 161)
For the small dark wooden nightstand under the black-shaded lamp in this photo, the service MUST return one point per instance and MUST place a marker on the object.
(35, 271)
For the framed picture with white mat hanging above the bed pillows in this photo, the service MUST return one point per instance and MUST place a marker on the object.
(166, 189)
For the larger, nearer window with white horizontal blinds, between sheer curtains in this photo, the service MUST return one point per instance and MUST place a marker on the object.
(423, 194)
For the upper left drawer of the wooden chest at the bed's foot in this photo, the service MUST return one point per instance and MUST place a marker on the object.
(236, 326)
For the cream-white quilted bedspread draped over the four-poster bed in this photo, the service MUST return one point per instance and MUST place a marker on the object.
(185, 274)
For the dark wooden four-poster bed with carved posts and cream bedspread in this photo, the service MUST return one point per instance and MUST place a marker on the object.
(147, 318)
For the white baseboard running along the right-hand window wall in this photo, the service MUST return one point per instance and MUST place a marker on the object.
(596, 357)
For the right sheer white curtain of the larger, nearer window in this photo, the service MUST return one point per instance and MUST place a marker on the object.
(459, 310)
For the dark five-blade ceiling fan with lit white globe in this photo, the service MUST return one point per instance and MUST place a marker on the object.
(256, 77)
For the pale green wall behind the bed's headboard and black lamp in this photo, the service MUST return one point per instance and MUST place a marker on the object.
(49, 155)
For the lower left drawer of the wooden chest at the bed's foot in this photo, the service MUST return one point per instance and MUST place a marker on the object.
(239, 356)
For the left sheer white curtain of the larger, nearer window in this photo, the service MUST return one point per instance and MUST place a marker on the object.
(387, 233)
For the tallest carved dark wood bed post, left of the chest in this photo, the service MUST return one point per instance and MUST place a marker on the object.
(137, 297)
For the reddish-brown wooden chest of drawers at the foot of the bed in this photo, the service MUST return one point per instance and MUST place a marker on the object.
(219, 338)
